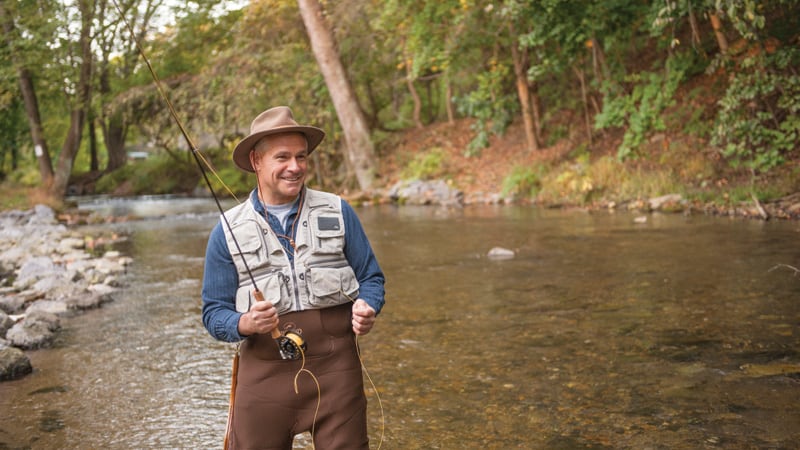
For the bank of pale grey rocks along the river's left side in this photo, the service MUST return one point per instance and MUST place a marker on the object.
(48, 271)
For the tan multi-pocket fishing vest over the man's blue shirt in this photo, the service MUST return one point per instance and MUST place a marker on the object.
(320, 273)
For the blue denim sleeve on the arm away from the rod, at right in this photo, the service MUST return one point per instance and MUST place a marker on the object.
(362, 259)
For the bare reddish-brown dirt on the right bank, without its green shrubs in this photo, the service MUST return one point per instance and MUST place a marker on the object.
(481, 176)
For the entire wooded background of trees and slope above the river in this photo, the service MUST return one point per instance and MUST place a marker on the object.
(600, 103)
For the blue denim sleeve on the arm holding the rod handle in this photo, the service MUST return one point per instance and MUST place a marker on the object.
(220, 282)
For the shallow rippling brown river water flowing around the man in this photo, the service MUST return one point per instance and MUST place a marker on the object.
(680, 332)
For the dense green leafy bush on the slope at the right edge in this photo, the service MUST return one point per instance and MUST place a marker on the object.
(758, 123)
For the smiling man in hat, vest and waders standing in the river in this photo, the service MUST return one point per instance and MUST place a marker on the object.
(309, 257)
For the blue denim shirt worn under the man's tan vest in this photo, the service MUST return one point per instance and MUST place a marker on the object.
(220, 278)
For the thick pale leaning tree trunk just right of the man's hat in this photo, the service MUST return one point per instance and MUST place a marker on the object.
(360, 150)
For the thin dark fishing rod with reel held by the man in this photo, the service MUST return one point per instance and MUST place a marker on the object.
(290, 344)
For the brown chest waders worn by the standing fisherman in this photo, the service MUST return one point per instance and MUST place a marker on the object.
(267, 413)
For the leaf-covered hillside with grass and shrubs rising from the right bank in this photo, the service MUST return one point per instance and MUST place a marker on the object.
(669, 163)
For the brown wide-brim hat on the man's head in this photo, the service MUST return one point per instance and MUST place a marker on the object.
(273, 121)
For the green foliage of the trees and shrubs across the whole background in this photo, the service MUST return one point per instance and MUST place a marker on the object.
(222, 67)
